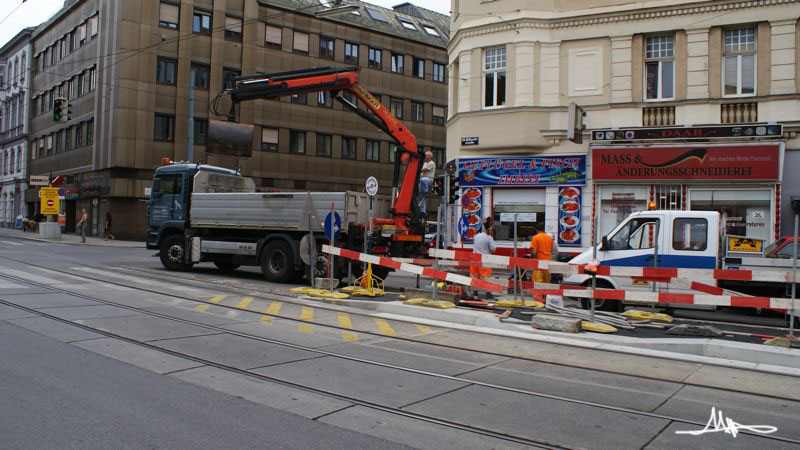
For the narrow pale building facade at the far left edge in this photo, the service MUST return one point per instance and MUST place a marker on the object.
(15, 63)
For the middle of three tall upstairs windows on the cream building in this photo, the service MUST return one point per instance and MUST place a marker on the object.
(659, 72)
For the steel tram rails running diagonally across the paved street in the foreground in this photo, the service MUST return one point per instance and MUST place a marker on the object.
(368, 404)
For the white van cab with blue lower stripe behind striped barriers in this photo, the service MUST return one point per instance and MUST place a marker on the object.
(656, 238)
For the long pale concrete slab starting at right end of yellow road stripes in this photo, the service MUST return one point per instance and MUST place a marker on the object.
(657, 368)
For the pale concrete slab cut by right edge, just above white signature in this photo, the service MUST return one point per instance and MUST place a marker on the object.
(747, 381)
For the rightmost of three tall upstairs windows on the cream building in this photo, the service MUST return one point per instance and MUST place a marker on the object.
(739, 62)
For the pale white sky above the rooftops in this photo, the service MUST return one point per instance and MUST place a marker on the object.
(16, 14)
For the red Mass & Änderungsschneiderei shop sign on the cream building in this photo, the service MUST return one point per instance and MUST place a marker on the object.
(729, 162)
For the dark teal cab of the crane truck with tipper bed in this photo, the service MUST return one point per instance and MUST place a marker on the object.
(168, 208)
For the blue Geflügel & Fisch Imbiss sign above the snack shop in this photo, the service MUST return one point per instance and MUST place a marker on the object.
(522, 171)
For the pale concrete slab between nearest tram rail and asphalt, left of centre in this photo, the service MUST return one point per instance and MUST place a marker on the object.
(273, 395)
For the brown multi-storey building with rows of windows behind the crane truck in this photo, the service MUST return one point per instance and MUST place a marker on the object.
(126, 68)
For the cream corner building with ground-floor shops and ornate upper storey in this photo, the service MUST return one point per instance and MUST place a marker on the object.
(516, 65)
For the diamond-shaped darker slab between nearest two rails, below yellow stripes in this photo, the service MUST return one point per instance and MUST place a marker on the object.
(235, 351)
